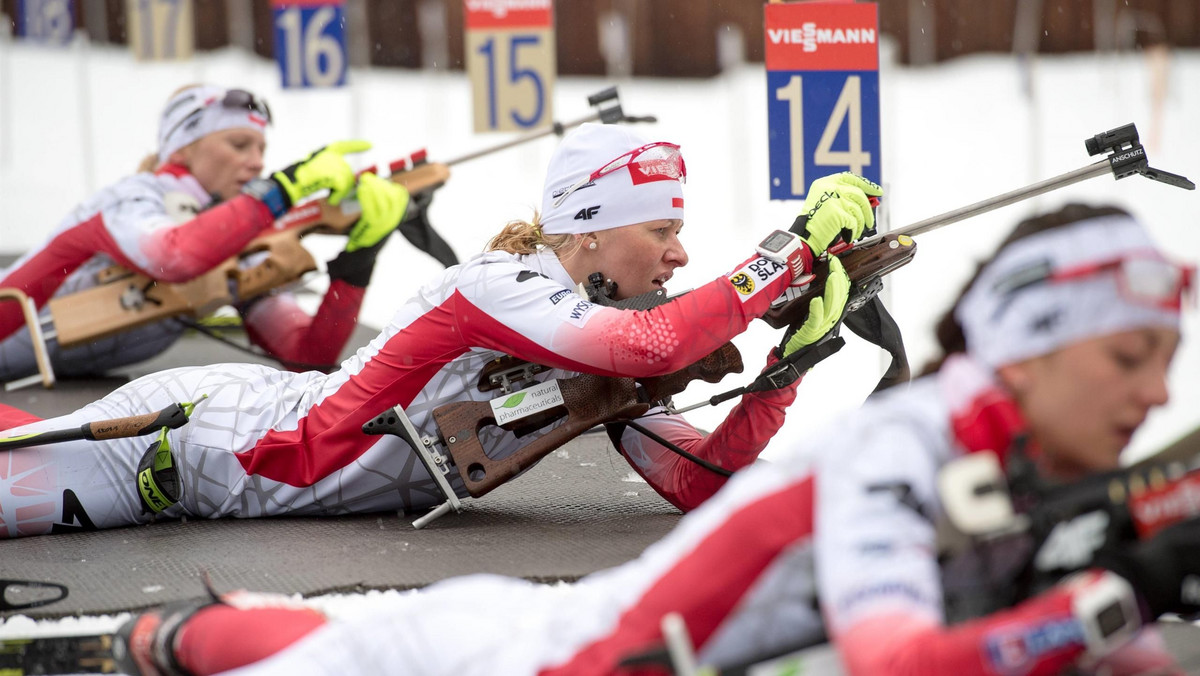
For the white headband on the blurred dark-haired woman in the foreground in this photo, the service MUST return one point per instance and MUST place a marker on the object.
(1005, 325)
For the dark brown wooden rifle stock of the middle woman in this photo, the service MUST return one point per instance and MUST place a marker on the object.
(590, 400)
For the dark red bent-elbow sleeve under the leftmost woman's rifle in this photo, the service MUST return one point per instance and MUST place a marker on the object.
(290, 334)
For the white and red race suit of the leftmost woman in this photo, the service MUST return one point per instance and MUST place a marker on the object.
(165, 226)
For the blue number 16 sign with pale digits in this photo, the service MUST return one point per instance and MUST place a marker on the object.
(310, 43)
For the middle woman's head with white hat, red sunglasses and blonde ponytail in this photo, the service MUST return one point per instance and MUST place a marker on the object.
(613, 204)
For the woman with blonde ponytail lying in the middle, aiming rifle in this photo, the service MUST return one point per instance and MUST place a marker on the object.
(267, 442)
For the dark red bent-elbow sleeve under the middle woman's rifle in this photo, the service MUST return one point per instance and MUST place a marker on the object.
(734, 445)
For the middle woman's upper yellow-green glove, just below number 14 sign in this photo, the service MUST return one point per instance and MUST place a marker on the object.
(838, 207)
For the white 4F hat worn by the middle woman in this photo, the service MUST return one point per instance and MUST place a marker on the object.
(611, 201)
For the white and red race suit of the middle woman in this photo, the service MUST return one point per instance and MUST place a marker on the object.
(265, 442)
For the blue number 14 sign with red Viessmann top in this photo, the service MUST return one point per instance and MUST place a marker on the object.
(823, 93)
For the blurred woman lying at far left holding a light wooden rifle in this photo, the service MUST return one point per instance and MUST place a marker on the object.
(191, 207)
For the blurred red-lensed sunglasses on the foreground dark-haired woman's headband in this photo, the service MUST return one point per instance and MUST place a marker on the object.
(1143, 277)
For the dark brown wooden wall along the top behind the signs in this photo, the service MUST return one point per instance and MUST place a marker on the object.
(681, 38)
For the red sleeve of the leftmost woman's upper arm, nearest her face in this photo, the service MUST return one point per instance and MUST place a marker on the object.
(189, 250)
